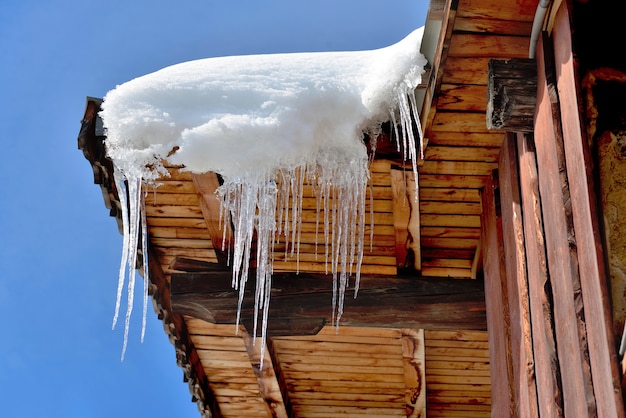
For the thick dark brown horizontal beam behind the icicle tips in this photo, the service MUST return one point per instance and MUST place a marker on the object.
(301, 304)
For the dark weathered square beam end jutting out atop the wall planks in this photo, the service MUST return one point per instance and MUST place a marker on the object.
(511, 95)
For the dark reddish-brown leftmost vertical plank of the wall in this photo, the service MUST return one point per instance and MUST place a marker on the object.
(496, 302)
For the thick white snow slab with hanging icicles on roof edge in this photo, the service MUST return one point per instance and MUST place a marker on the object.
(267, 124)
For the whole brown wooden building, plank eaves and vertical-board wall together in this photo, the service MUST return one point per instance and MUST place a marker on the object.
(499, 294)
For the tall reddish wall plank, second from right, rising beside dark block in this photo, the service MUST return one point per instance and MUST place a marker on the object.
(577, 388)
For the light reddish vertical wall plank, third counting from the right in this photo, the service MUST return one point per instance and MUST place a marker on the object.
(547, 370)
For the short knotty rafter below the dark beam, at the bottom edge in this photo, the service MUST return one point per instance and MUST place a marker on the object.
(414, 372)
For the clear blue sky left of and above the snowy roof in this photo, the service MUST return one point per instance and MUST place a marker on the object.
(60, 249)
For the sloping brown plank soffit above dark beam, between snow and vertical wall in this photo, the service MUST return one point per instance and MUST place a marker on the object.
(461, 152)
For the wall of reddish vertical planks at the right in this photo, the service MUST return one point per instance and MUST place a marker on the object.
(544, 260)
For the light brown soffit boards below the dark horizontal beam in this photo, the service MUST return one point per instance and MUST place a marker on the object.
(352, 372)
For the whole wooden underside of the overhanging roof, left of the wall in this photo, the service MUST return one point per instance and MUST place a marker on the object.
(373, 363)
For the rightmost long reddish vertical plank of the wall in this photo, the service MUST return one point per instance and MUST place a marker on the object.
(591, 260)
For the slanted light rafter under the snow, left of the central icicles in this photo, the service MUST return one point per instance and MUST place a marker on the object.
(206, 185)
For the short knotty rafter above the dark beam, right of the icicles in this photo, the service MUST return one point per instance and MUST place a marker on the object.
(406, 220)
